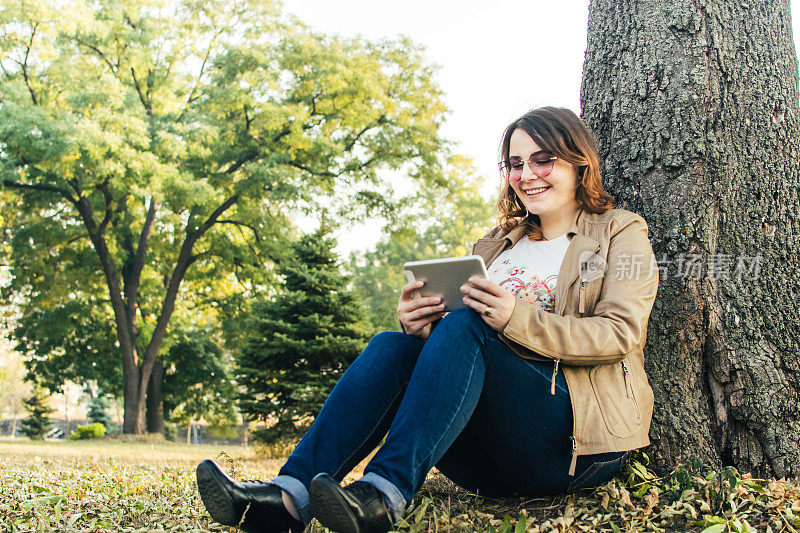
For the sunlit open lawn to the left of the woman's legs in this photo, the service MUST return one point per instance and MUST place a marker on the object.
(114, 485)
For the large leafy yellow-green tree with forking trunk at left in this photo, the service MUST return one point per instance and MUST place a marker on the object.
(153, 150)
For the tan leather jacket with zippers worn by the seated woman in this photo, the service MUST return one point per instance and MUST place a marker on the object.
(598, 328)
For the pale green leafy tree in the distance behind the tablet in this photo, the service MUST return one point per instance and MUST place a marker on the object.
(440, 221)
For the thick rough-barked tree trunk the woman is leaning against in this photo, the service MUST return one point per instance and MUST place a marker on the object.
(695, 108)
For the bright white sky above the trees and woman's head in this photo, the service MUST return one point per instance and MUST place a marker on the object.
(497, 60)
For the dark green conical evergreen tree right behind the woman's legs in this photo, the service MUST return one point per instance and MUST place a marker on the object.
(300, 341)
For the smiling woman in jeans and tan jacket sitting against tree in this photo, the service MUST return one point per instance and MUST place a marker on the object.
(536, 388)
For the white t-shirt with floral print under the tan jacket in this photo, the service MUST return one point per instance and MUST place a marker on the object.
(529, 270)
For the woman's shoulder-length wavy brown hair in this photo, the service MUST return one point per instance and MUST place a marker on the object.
(559, 131)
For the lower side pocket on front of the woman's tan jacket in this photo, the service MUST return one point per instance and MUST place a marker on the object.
(616, 395)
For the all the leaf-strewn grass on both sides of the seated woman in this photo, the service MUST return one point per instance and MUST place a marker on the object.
(149, 486)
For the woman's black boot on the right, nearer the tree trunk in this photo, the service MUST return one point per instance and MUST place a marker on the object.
(356, 508)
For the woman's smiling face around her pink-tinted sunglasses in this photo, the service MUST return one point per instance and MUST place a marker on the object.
(559, 185)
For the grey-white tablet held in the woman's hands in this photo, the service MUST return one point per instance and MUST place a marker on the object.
(444, 277)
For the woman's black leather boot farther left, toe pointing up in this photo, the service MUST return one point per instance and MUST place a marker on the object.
(226, 501)
